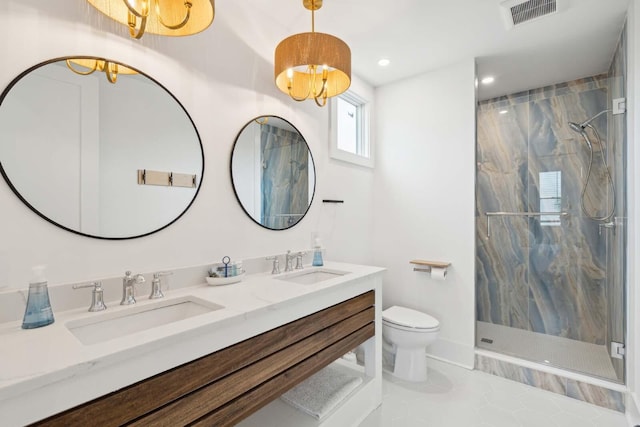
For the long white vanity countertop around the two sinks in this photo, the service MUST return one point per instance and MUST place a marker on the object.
(46, 370)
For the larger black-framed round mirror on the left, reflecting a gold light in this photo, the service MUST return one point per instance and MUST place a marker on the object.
(98, 148)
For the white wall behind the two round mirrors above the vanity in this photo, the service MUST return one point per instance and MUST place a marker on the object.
(223, 79)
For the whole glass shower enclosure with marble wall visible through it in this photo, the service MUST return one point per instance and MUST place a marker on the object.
(550, 282)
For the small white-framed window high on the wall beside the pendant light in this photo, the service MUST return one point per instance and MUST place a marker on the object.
(350, 130)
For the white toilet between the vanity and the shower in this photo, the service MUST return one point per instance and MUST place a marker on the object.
(407, 334)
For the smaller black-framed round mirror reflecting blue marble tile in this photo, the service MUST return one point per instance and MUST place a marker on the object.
(273, 172)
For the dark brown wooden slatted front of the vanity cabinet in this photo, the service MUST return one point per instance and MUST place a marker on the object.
(226, 386)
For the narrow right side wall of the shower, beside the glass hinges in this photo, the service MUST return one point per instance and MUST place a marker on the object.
(616, 237)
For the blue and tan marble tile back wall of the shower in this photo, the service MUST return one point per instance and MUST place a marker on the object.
(541, 277)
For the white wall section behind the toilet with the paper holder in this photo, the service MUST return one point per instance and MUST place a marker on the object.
(425, 199)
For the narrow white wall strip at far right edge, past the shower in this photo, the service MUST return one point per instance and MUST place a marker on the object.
(633, 198)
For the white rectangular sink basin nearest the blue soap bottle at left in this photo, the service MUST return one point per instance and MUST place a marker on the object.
(107, 326)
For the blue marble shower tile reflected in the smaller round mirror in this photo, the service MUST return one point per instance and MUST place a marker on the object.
(285, 177)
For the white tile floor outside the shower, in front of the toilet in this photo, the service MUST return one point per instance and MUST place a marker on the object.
(456, 397)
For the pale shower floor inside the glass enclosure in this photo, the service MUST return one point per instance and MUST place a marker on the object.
(560, 352)
